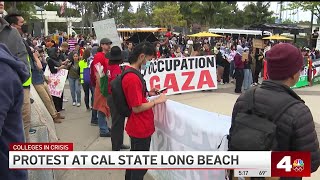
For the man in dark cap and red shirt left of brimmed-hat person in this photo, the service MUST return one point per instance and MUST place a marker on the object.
(97, 68)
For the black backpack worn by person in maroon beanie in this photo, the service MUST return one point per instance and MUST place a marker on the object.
(256, 131)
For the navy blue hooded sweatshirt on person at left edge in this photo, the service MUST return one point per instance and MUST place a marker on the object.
(13, 74)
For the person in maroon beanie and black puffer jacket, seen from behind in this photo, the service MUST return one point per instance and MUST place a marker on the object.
(295, 127)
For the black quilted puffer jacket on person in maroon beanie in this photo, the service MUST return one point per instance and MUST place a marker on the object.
(295, 128)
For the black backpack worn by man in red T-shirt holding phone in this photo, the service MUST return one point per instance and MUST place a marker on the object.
(118, 96)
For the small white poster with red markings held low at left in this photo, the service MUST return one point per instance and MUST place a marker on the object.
(57, 81)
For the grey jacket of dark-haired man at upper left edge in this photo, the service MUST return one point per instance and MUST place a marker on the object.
(13, 40)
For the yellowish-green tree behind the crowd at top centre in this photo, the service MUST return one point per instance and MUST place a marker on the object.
(168, 15)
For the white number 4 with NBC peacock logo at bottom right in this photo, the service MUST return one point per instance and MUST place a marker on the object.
(285, 163)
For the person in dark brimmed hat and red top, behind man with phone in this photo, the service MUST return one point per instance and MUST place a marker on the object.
(115, 57)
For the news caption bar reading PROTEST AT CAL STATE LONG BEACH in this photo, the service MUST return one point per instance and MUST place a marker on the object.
(39, 156)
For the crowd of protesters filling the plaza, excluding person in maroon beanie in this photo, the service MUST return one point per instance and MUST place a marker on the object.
(29, 57)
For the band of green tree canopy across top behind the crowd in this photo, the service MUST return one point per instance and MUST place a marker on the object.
(211, 14)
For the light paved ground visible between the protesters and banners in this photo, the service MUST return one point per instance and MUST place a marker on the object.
(76, 127)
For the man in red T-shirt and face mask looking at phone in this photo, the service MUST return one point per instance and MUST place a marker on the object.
(140, 124)
